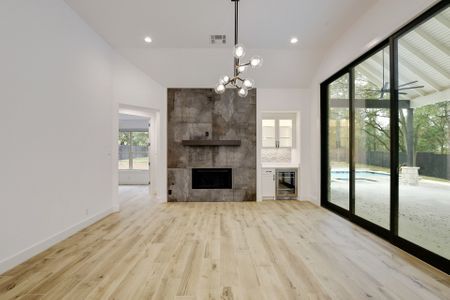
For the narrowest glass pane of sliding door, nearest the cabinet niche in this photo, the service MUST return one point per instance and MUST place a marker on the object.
(339, 142)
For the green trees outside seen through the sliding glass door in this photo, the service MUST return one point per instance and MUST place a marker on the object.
(430, 130)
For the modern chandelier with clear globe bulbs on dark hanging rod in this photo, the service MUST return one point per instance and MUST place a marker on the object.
(242, 84)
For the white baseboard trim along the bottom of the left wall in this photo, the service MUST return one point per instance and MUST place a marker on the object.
(41, 246)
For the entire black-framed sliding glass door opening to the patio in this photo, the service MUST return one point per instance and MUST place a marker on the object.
(386, 138)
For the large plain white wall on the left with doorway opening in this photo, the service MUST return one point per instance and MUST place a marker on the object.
(59, 168)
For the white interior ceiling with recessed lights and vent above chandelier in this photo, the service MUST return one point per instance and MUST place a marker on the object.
(181, 54)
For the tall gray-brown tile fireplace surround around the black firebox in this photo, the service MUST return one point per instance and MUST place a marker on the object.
(200, 114)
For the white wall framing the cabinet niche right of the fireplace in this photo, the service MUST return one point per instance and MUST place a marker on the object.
(287, 100)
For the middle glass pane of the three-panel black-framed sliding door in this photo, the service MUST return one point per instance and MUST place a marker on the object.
(372, 139)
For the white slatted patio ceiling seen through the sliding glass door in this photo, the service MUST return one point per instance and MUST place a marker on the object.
(424, 58)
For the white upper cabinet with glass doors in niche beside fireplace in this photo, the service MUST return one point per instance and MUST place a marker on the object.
(278, 130)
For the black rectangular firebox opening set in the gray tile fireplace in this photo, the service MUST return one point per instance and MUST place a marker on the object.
(212, 178)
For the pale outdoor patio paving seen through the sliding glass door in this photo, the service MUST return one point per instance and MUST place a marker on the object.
(424, 209)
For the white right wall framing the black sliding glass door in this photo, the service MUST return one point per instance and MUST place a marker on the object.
(384, 18)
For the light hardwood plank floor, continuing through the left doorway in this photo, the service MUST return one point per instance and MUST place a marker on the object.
(270, 250)
